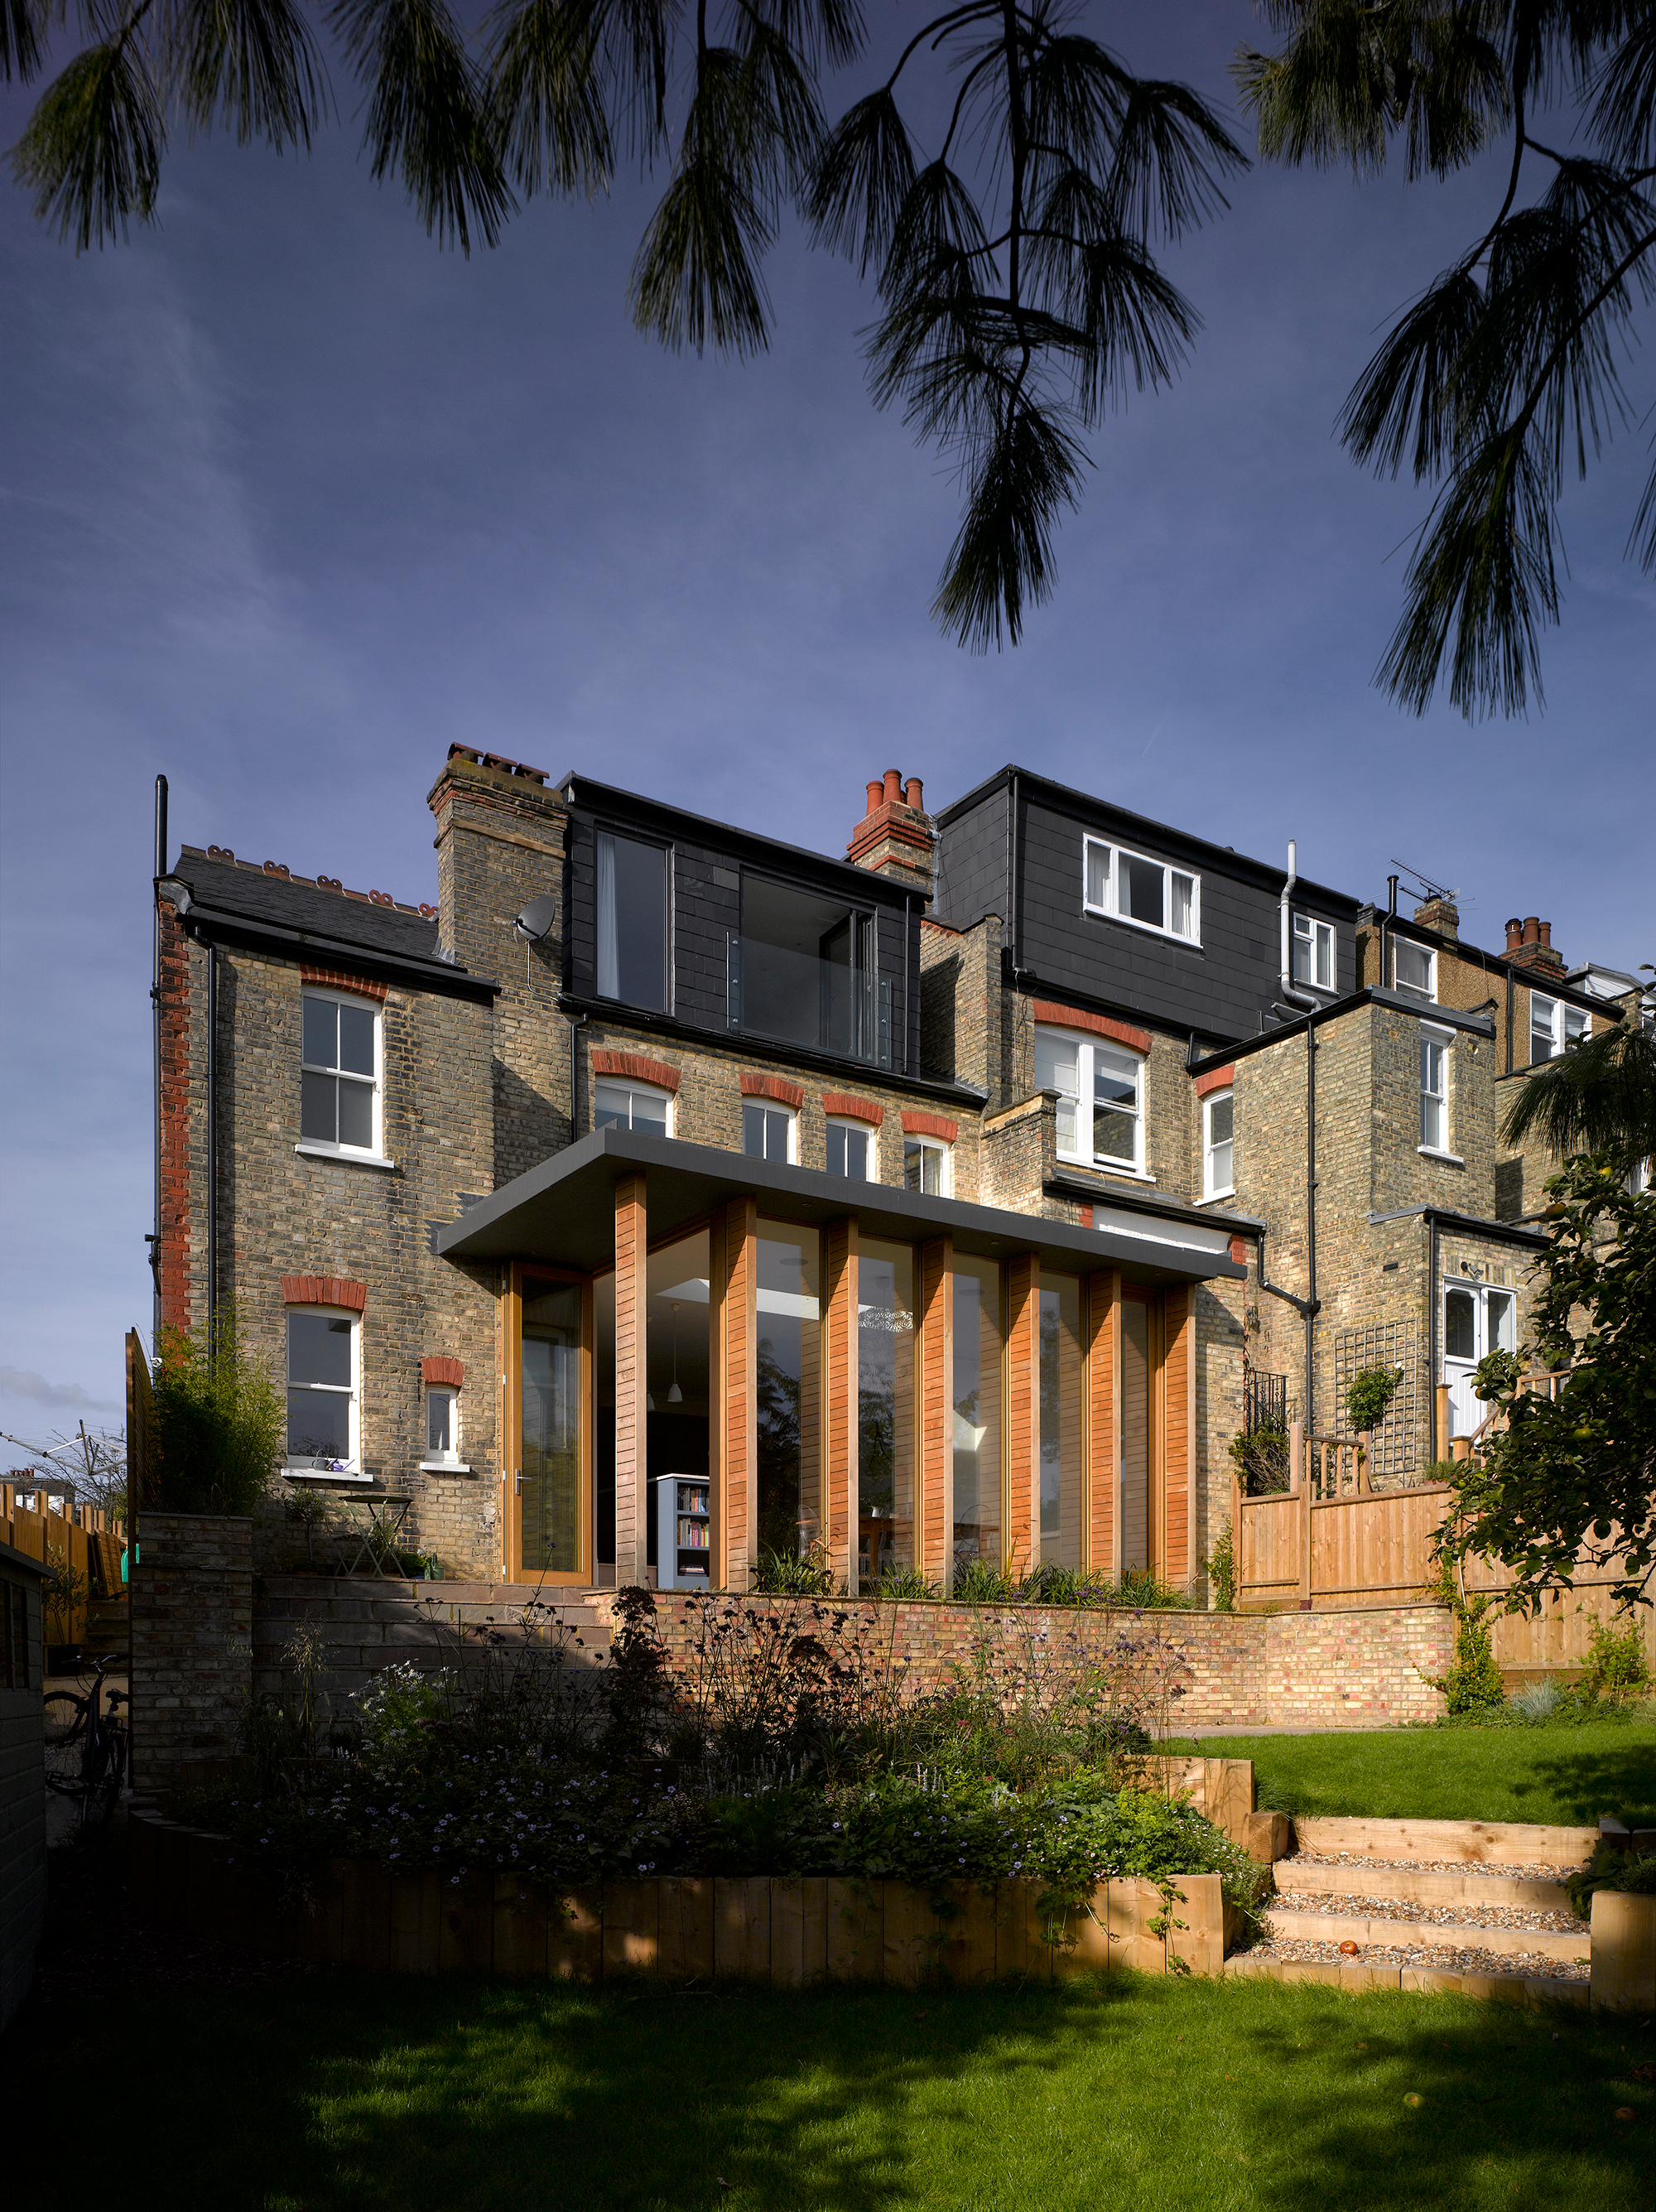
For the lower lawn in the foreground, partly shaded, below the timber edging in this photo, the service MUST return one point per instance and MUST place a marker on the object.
(339, 2094)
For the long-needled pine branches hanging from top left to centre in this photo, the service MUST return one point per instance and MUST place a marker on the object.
(1016, 262)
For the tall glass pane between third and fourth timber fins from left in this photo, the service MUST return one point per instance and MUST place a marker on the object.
(885, 1412)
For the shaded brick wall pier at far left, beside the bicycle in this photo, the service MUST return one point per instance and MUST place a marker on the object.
(191, 1598)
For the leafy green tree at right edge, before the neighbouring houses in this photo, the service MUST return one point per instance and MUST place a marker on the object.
(1575, 1477)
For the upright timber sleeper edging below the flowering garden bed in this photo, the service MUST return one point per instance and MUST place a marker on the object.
(786, 1932)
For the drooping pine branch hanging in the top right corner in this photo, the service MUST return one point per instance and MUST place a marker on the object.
(1507, 371)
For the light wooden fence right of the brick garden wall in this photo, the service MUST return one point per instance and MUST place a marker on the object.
(1332, 1541)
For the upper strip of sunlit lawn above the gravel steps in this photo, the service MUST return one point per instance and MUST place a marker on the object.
(1564, 1775)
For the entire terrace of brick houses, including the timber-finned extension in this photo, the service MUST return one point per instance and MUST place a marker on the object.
(667, 1196)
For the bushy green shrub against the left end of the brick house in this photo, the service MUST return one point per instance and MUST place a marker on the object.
(220, 1421)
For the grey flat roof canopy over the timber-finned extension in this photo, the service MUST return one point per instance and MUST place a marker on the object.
(565, 1213)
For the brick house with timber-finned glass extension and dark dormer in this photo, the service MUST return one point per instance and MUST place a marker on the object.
(669, 1160)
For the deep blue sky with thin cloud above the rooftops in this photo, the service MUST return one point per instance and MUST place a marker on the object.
(293, 501)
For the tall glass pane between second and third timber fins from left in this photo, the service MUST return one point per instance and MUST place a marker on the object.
(790, 1390)
